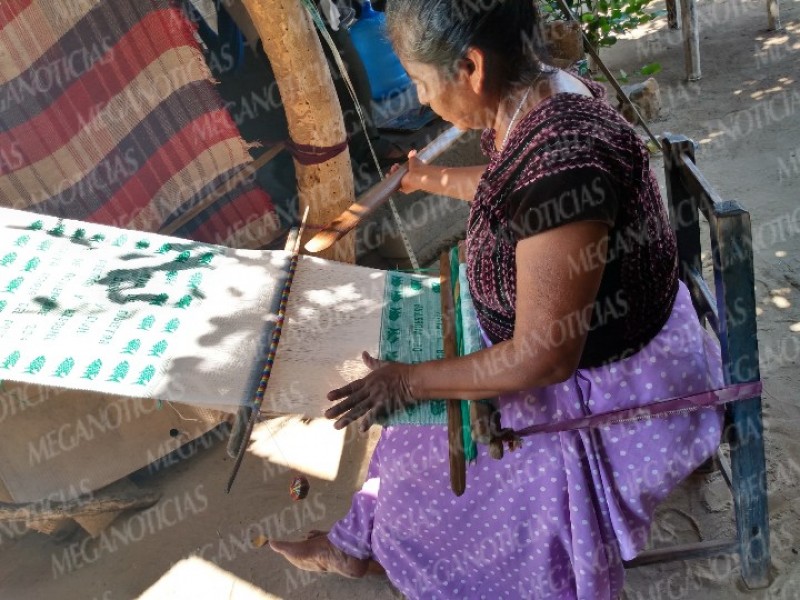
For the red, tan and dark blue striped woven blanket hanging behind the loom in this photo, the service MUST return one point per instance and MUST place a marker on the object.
(108, 114)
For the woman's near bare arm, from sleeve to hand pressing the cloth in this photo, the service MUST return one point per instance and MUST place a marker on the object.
(558, 275)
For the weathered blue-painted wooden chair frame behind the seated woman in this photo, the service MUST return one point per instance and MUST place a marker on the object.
(732, 316)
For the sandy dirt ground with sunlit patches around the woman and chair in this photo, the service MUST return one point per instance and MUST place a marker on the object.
(745, 114)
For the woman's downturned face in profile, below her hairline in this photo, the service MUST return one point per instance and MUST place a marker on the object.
(454, 98)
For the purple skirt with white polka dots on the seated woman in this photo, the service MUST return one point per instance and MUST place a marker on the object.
(555, 518)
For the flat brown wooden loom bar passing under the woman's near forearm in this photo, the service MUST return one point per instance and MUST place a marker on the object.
(458, 463)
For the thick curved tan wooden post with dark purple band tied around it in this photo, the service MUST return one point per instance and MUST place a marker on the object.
(312, 110)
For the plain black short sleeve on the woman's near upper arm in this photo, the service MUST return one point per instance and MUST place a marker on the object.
(579, 194)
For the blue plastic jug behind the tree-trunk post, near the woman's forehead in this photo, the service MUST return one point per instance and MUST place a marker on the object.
(384, 71)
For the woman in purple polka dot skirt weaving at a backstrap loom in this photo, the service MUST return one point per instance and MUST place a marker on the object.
(572, 268)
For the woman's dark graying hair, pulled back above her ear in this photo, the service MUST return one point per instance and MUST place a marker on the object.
(439, 32)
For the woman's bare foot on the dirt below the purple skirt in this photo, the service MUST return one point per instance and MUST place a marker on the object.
(316, 553)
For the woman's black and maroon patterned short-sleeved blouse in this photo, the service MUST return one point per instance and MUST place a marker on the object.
(575, 158)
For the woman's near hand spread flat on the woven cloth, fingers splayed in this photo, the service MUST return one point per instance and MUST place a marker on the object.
(385, 390)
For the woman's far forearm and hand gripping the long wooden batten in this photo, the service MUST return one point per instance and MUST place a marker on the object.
(456, 182)
